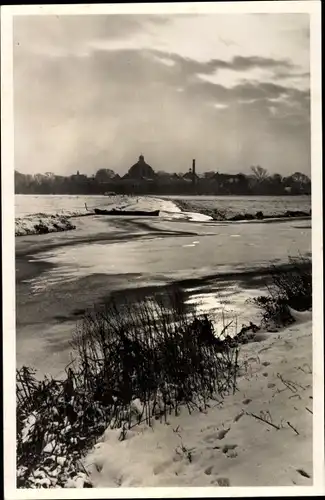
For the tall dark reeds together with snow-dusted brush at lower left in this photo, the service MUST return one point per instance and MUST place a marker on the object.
(138, 363)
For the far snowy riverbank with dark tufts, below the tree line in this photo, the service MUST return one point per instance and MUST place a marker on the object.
(41, 215)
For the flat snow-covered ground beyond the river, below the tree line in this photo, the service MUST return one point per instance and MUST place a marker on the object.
(53, 211)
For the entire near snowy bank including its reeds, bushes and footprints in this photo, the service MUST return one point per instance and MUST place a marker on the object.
(165, 381)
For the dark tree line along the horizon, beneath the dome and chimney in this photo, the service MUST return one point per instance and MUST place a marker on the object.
(257, 182)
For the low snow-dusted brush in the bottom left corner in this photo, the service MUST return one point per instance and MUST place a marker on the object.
(51, 430)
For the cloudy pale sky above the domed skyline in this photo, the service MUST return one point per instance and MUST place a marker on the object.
(96, 91)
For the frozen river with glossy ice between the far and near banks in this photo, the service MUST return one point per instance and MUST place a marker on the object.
(60, 275)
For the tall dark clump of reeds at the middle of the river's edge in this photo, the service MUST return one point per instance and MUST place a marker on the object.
(153, 352)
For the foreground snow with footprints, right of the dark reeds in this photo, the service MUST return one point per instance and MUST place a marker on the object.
(228, 444)
